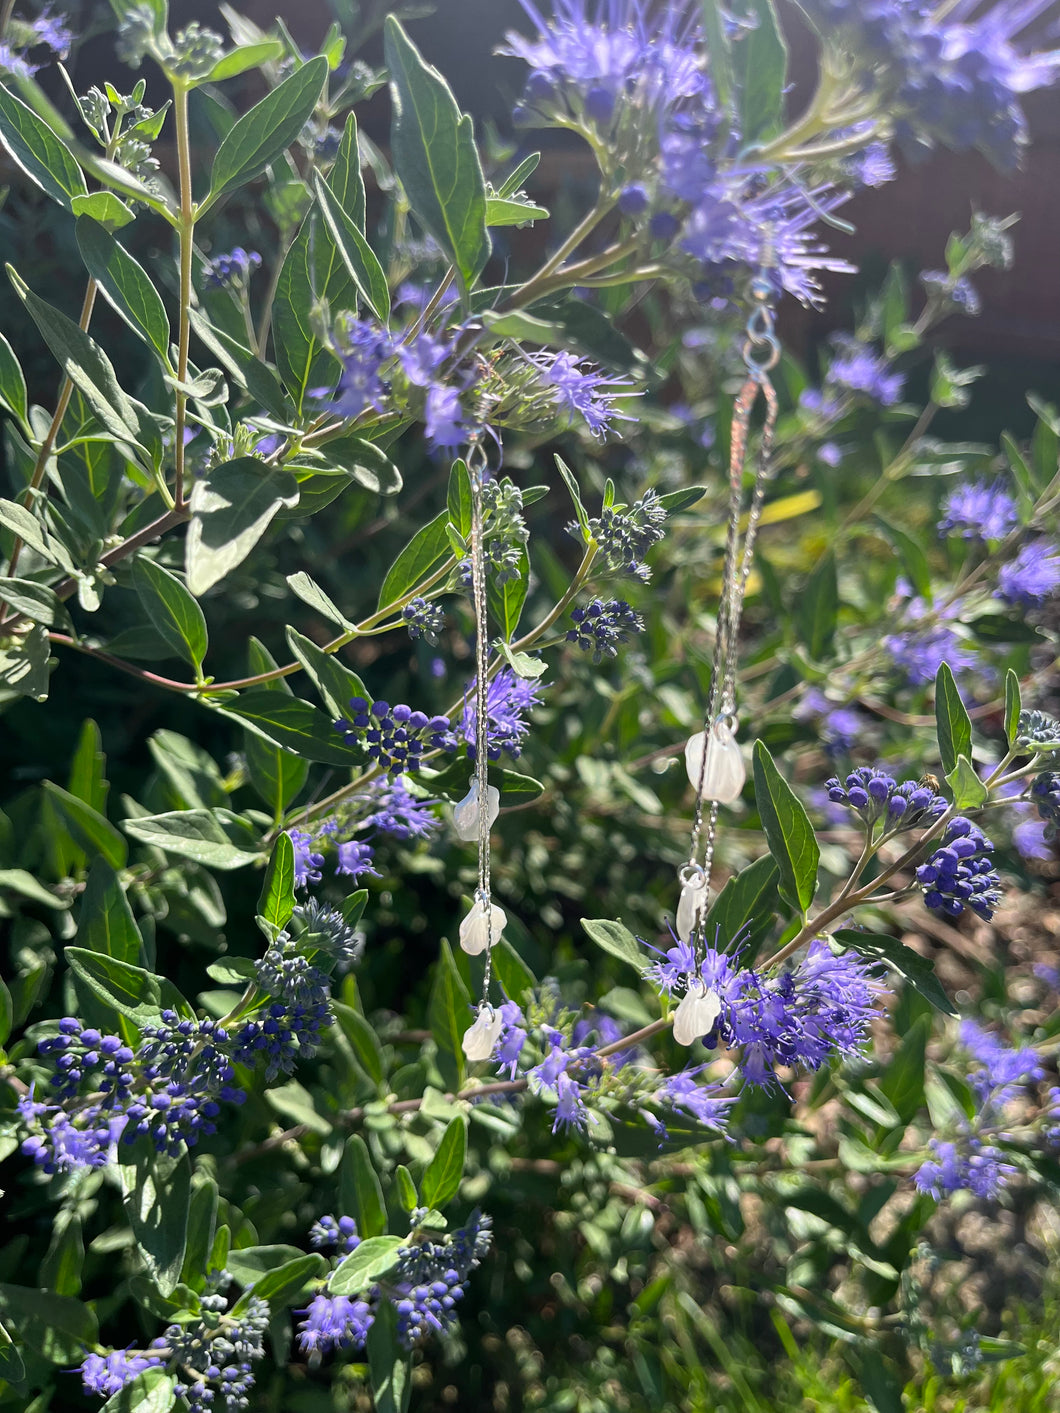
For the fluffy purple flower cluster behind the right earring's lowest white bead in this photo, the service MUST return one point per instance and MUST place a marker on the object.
(806, 1017)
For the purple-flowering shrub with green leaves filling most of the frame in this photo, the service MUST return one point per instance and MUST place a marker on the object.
(196, 1082)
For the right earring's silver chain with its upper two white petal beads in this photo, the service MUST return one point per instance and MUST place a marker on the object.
(713, 757)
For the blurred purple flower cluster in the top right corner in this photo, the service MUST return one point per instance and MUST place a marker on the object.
(955, 81)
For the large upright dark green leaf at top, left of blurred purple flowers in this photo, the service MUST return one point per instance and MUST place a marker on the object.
(436, 158)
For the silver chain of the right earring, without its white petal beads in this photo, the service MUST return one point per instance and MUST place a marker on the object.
(723, 696)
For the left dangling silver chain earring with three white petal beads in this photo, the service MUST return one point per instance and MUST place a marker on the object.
(485, 922)
